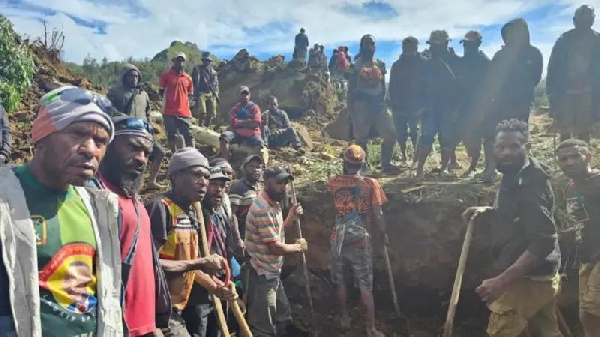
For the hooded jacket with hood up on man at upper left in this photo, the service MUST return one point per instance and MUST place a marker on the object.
(133, 102)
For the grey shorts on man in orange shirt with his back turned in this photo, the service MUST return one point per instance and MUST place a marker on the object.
(360, 261)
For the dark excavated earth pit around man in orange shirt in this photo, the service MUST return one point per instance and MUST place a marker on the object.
(426, 234)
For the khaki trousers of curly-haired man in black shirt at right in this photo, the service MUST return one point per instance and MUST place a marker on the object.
(526, 305)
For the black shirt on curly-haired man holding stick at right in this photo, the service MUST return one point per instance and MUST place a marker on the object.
(523, 220)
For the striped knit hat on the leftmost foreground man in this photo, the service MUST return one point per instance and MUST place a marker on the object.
(67, 105)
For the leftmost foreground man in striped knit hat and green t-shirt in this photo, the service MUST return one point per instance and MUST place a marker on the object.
(58, 238)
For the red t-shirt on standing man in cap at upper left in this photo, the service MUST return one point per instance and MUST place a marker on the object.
(177, 87)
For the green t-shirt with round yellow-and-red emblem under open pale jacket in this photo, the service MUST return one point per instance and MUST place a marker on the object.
(66, 251)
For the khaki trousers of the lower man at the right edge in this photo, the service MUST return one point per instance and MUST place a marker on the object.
(589, 288)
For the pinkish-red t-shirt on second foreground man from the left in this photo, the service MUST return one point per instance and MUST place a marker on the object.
(140, 295)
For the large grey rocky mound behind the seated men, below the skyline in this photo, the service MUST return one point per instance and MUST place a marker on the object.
(297, 90)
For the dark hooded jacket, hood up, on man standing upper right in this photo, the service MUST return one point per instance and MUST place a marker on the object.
(515, 70)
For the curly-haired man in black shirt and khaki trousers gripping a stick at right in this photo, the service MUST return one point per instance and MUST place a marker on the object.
(521, 294)
